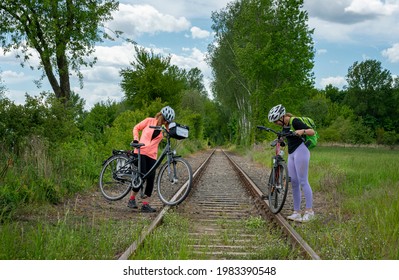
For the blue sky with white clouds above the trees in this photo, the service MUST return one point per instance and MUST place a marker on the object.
(345, 31)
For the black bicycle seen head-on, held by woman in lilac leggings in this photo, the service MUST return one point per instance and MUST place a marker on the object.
(279, 179)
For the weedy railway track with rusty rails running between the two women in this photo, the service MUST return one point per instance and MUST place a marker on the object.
(229, 220)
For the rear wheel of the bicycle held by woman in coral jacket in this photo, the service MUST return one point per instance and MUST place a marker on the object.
(116, 177)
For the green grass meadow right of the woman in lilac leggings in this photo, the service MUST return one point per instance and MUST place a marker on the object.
(360, 187)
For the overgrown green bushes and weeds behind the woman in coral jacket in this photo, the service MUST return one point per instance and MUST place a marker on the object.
(48, 151)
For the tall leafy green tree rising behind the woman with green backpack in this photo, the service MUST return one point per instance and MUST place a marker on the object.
(263, 55)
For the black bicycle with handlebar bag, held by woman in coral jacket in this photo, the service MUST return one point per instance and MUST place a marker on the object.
(121, 172)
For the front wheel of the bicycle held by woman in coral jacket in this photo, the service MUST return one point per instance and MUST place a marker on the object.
(174, 181)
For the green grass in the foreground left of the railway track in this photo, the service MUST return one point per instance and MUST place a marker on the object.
(66, 238)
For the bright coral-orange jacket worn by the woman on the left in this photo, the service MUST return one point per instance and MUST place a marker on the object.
(151, 145)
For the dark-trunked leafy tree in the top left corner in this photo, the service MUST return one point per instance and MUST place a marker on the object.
(63, 32)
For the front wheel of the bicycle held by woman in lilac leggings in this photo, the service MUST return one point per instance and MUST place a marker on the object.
(278, 187)
